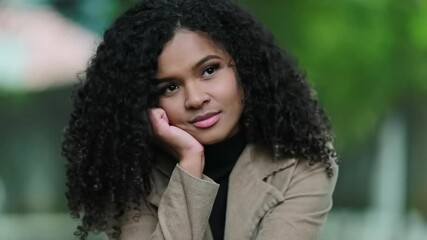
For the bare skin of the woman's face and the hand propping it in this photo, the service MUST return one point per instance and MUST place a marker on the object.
(195, 79)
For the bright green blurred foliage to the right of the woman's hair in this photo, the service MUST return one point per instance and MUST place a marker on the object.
(363, 57)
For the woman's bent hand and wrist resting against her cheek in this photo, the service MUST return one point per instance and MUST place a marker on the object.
(178, 142)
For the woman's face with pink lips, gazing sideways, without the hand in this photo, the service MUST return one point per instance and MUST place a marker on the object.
(199, 90)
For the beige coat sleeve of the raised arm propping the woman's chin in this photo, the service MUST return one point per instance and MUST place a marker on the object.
(183, 211)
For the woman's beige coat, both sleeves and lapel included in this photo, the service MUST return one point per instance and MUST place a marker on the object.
(267, 199)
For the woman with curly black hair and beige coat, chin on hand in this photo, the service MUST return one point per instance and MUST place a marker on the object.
(193, 124)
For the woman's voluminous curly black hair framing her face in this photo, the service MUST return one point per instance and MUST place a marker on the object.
(107, 142)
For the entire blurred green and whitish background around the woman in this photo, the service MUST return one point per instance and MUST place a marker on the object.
(367, 59)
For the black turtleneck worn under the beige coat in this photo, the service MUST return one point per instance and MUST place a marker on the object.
(220, 159)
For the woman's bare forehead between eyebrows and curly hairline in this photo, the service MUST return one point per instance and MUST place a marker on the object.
(184, 50)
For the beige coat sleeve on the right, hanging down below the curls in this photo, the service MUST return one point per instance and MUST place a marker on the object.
(307, 201)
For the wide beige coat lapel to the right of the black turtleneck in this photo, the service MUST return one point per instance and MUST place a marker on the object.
(249, 196)
